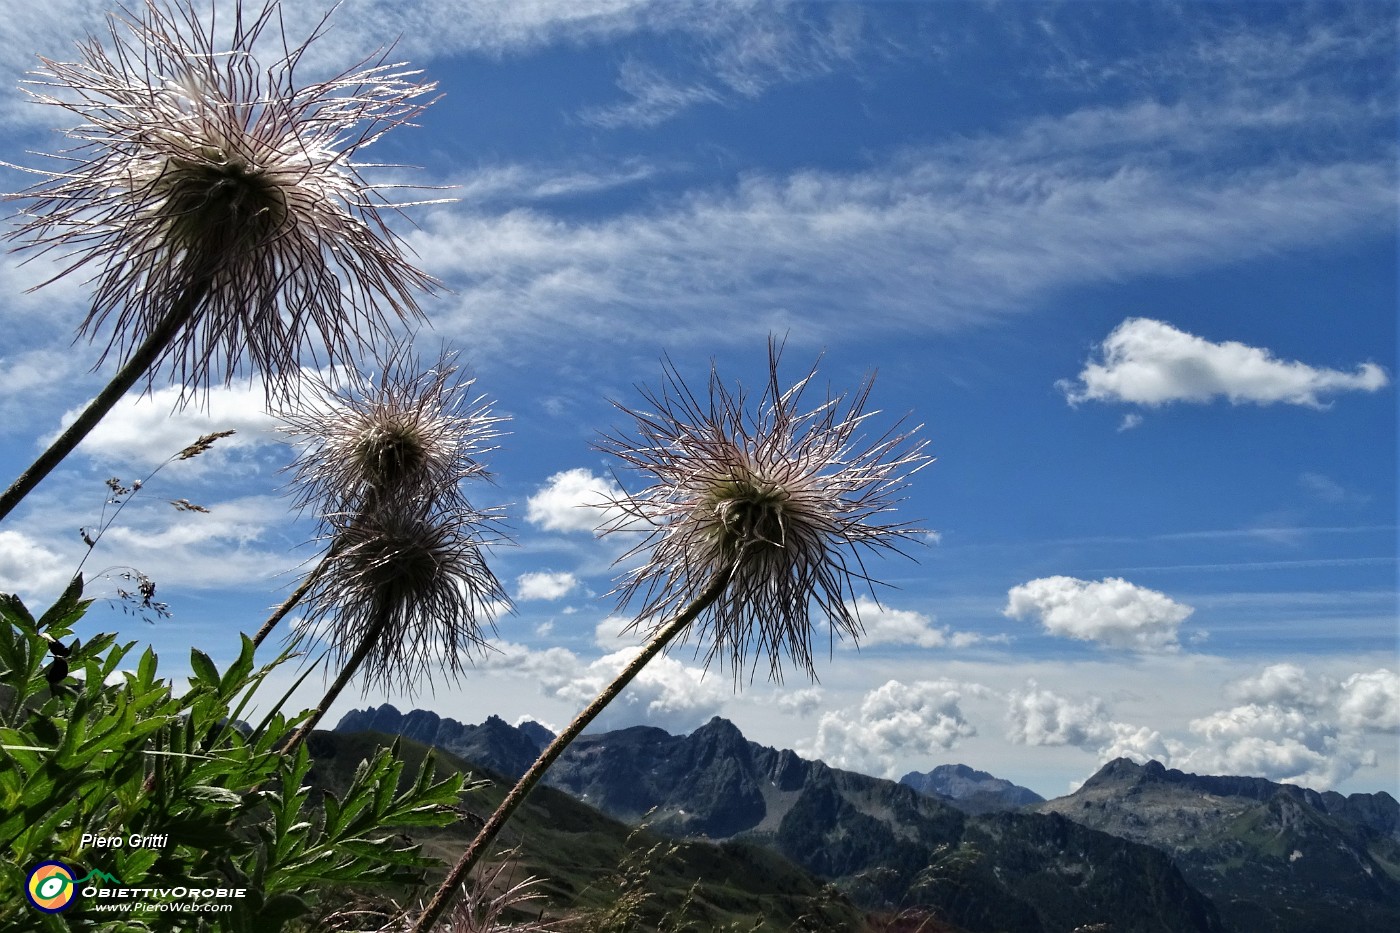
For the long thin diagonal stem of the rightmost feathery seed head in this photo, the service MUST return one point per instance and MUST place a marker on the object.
(517, 796)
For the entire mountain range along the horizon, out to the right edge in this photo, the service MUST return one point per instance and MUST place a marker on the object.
(1136, 848)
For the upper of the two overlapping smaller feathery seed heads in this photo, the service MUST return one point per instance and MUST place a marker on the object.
(408, 434)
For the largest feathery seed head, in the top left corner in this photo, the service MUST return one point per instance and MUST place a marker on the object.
(208, 186)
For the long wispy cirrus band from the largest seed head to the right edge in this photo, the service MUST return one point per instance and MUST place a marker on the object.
(927, 240)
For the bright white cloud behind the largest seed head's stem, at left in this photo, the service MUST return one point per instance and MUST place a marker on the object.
(150, 429)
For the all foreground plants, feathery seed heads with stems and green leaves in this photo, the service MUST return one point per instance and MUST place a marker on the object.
(218, 211)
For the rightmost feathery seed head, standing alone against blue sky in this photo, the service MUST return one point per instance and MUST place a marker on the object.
(783, 501)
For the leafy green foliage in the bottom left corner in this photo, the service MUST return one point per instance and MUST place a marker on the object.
(92, 746)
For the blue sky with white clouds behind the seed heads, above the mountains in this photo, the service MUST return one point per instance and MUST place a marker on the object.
(1132, 265)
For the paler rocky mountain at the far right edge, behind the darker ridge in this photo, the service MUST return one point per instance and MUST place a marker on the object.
(1272, 857)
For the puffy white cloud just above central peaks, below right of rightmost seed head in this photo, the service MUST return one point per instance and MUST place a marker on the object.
(891, 722)
